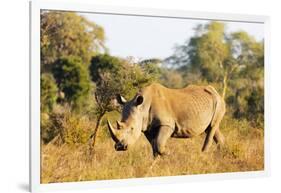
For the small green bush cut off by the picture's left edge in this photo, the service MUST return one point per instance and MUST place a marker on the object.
(48, 92)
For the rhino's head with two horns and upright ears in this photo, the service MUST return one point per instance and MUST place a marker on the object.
(129, 129)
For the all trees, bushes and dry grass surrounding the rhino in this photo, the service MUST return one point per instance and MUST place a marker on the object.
(80, 80)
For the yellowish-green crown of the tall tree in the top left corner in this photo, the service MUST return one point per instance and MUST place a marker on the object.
(67, 33)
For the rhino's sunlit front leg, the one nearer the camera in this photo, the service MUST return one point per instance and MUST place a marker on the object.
(164, 134)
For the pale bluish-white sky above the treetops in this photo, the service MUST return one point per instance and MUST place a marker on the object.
(154, 37)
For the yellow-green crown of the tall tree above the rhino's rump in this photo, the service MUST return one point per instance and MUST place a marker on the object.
(204, 53)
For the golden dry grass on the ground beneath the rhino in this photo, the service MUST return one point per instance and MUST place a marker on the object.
(243, 151)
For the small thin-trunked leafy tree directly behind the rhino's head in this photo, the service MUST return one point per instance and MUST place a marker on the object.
(114, 76)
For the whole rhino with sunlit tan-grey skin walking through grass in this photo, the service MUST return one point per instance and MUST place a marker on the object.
(162, 113)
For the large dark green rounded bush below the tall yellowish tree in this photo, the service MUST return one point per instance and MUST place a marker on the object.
(73, 80)
